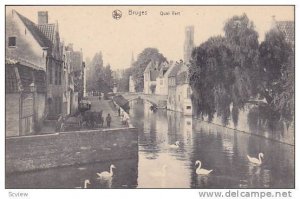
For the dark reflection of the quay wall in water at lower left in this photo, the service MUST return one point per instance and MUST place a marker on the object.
(125, 176)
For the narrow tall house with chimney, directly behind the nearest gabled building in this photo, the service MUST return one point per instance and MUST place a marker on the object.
(54, 61)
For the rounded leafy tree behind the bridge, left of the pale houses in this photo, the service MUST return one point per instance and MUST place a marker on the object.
(139, 66)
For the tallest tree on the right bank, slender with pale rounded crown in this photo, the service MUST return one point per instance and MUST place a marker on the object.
(243, 42)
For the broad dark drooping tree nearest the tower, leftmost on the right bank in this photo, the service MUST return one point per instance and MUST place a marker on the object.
(211, 78)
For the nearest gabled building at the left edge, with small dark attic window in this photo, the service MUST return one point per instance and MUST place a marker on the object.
(25, 82)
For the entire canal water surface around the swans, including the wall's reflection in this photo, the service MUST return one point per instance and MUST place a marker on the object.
(161, 165)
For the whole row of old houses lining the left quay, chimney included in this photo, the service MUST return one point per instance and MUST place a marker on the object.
(44, 78)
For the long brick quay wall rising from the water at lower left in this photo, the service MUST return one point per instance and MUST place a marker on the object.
(36, 152)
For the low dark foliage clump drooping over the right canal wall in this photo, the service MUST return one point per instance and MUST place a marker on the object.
(262, 119)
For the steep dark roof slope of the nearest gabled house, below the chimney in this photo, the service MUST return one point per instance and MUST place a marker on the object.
(35, 31)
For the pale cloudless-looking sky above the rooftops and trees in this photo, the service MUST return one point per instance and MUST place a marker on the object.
(93, 28)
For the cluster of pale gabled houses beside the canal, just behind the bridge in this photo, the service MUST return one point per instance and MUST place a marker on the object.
(170, 79)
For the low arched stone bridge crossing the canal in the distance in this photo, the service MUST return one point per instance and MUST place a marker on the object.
(159, 100)
